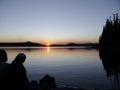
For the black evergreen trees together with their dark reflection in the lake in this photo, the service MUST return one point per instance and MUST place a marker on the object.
(109, 48)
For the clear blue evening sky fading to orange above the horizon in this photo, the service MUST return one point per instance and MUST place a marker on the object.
(54, 21)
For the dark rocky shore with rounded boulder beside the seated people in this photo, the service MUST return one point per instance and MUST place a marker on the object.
(48, 83)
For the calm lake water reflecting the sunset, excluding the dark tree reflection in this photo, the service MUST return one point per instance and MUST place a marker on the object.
(74, 67)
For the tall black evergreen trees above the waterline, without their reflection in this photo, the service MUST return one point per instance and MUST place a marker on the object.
(110, 36)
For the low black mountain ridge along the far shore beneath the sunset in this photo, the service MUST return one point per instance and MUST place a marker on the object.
(33, 44)
